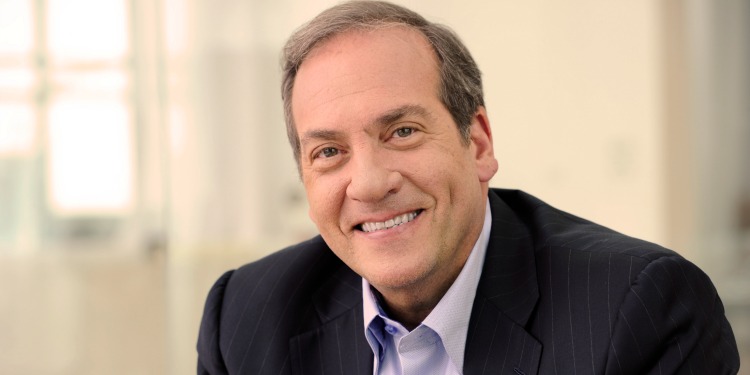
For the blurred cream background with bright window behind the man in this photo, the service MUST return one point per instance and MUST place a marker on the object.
(142, 152)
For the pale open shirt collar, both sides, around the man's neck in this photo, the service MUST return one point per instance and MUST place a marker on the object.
(450, 318)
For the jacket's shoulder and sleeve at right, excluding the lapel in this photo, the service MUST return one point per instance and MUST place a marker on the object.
(627, 297)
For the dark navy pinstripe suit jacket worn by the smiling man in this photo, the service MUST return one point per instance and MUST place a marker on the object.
(557, 295)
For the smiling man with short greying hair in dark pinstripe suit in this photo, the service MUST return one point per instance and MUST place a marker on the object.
(420, 268)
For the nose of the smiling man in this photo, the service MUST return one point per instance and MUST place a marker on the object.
(372, 176)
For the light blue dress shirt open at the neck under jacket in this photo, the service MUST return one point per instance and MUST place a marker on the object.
(437, 345)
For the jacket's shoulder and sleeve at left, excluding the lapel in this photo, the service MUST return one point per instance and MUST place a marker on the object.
(251, 312)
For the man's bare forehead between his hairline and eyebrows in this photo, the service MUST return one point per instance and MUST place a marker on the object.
(363, 70)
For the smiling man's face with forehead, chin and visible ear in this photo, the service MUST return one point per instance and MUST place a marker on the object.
(392, 188)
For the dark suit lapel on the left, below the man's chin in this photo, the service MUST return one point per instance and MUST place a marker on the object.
(339, 345)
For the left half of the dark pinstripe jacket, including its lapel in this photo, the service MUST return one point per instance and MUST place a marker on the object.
(277, 316)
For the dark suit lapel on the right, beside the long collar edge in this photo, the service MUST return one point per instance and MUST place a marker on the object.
(497, 342)
